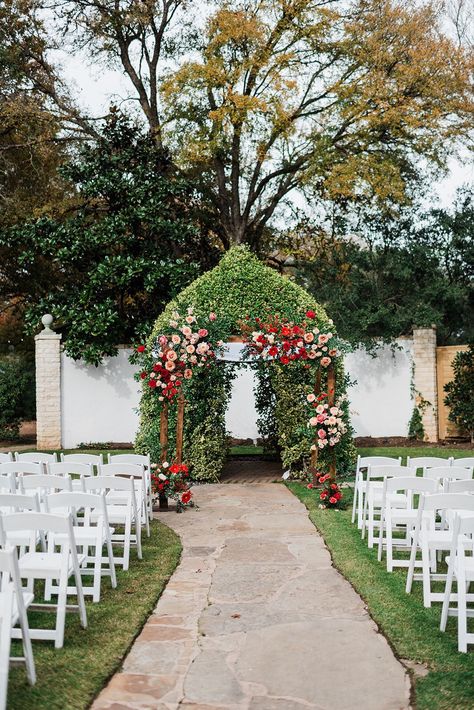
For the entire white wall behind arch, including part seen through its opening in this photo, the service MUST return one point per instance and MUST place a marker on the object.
(99, 404)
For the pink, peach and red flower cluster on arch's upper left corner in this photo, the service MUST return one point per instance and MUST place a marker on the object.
(178, 353)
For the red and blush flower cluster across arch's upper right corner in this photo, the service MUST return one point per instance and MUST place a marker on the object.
(286, 342)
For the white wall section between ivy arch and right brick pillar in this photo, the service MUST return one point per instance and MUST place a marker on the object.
(380, 400)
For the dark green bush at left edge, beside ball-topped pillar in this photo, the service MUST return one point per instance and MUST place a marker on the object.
(17, 395)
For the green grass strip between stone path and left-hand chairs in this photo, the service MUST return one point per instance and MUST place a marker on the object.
(71, 677)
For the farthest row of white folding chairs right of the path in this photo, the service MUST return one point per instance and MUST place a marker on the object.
(425, 462)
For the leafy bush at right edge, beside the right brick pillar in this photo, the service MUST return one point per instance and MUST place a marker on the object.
(460, 392)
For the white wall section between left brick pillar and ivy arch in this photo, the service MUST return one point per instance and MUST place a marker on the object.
(98, 403)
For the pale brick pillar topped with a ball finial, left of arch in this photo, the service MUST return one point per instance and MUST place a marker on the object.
(48, 386)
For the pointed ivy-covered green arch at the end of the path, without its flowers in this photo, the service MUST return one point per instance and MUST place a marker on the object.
(239, 287)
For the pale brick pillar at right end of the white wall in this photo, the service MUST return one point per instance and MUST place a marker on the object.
(426, 391)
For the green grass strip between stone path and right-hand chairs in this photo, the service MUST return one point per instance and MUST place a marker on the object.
(411, 630)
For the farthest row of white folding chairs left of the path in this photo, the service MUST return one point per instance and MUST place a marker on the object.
(22, 470)
